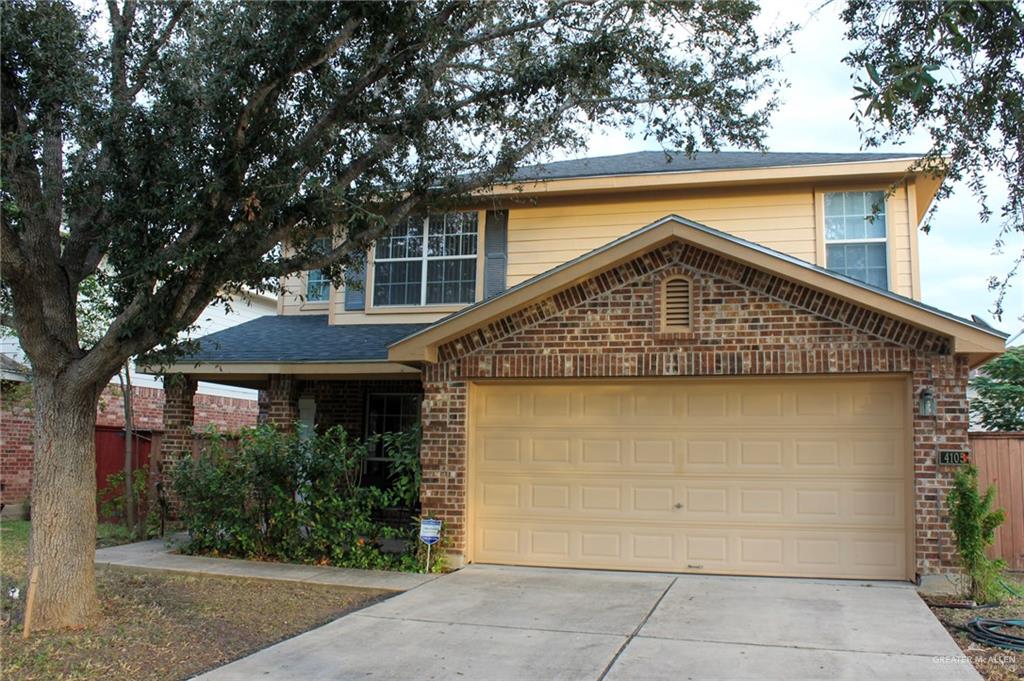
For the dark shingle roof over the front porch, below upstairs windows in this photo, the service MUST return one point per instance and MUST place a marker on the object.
(300, 338)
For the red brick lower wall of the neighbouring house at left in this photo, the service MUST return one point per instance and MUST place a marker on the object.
(16, 428)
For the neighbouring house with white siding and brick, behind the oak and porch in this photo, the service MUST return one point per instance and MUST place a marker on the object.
(222, 407)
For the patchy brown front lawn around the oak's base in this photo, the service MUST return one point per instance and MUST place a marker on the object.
(159, 625)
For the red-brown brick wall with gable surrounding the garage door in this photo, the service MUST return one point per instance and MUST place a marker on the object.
(746, 323)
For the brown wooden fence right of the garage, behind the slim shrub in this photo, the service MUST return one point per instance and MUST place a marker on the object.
(1000, 458)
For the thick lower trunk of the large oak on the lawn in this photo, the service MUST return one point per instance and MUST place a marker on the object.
(64, 503)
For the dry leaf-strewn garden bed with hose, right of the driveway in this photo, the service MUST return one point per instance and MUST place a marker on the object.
(994, 664)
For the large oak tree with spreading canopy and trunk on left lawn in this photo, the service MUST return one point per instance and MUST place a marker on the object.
(180, 145)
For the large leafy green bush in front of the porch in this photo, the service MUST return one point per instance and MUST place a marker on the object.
(281, 497)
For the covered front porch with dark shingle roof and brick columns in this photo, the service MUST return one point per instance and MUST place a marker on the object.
(312, 376)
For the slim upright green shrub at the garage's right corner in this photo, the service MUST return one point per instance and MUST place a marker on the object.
(974, 524)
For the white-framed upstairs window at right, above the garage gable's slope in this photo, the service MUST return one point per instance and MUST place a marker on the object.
(856, 236)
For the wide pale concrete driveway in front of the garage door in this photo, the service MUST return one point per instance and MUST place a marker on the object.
(515, 624)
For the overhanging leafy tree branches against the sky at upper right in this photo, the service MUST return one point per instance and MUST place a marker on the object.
(955, 71)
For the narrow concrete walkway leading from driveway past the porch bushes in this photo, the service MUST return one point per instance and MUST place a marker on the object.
(159, 555)
